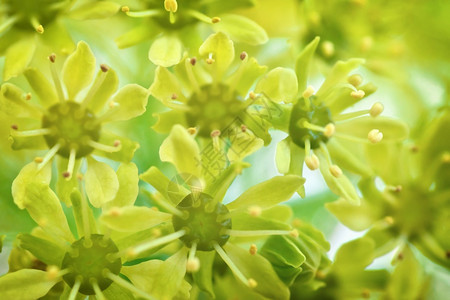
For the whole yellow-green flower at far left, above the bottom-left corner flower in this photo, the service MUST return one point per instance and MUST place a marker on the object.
(70, 124)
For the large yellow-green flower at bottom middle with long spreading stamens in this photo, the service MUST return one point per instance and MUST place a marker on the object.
(198, 221)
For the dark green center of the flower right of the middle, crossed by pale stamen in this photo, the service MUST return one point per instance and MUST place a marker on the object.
(317, 115)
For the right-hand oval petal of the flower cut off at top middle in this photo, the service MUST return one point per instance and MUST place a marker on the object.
(241, 29)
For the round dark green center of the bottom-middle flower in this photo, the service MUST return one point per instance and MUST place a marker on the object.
(207, 222)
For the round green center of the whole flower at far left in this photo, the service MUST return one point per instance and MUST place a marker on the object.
(72, 127)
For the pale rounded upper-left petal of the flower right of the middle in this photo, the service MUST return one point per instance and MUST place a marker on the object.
(279, 85)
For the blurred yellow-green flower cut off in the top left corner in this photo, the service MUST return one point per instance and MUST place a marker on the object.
(28, 24)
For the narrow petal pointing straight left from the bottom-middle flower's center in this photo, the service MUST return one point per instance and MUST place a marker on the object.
(133, 218)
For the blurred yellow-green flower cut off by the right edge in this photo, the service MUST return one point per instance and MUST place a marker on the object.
(414, 206)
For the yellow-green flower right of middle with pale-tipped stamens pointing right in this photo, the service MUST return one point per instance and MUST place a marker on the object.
(317, 126)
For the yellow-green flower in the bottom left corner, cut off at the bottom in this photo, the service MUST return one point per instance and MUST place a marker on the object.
(87, 263)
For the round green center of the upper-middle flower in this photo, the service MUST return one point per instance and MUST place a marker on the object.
(214, 108)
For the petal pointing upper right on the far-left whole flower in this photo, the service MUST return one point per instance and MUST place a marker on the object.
(129, 102)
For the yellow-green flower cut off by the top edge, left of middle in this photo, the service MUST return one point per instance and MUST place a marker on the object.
(173, 26)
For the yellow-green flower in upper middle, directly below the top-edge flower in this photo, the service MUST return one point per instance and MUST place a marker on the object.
(206, 99)
